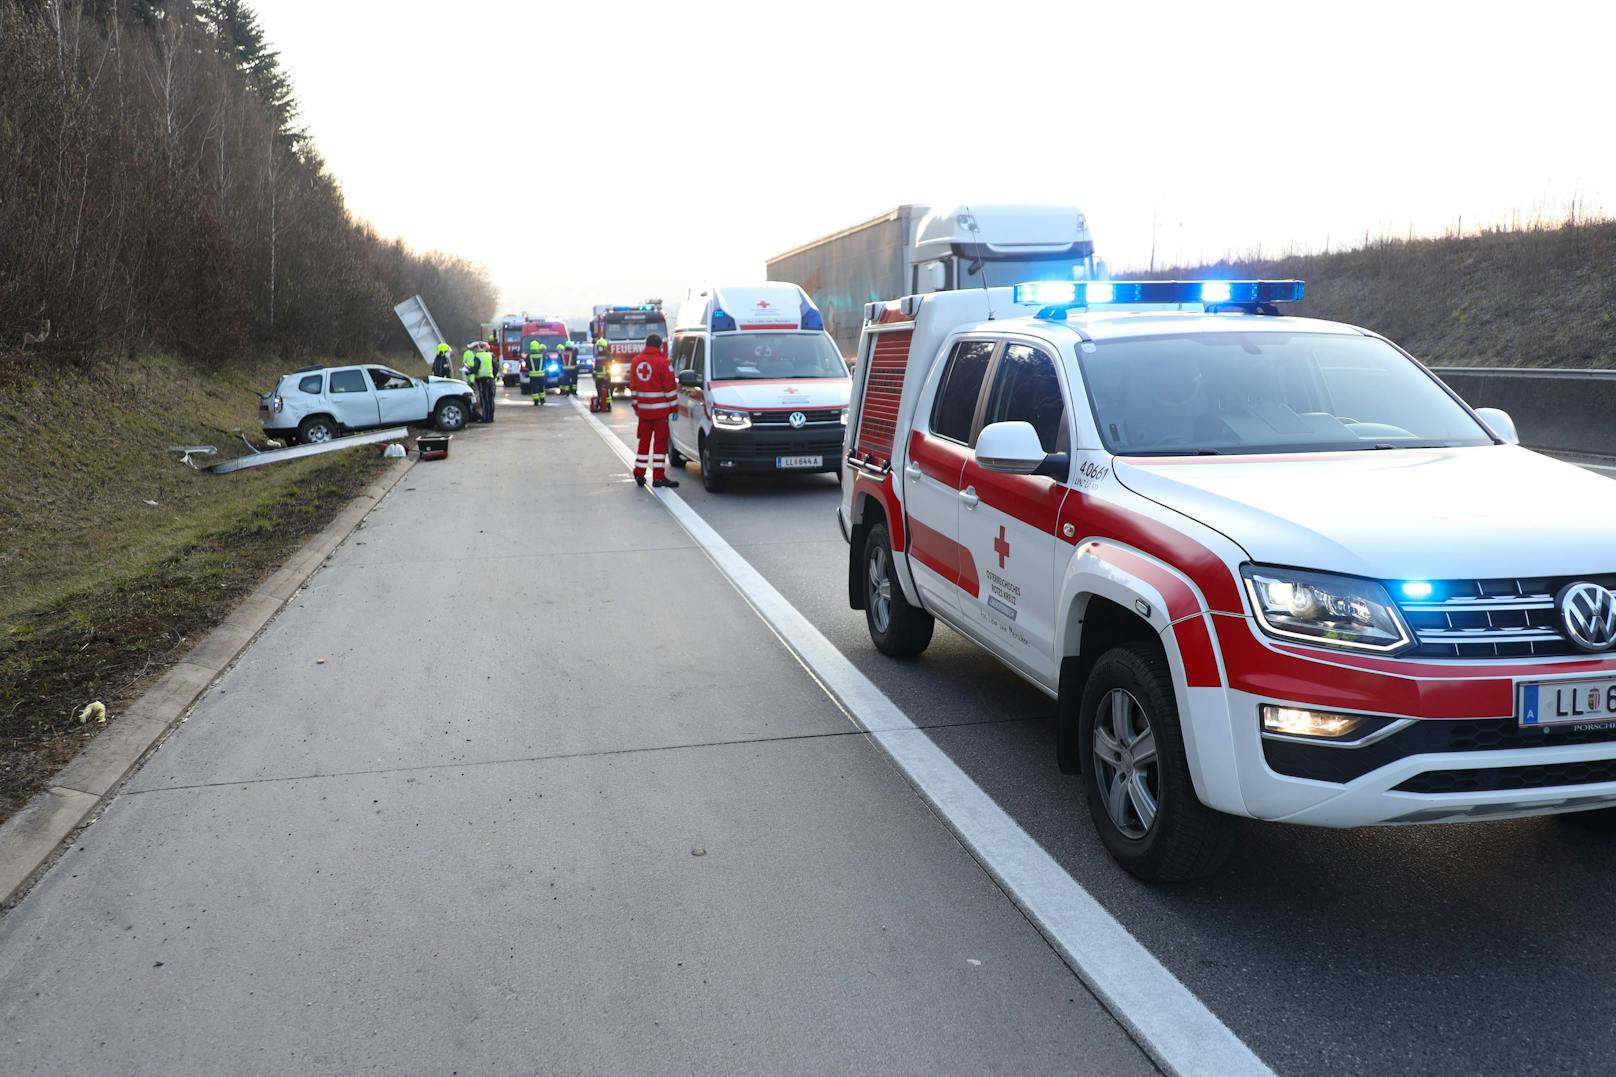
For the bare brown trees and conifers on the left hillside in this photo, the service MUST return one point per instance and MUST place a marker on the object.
(158, 193)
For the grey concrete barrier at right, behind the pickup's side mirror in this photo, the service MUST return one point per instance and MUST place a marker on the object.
(1567, 412)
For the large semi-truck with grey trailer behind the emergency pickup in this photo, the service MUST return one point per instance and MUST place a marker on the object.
(917, 250)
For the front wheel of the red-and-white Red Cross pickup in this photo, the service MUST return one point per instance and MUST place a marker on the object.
(1137, 775)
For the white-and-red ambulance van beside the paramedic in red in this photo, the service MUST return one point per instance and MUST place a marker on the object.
(762, 386)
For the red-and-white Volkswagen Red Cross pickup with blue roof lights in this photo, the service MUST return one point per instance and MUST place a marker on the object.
(1268, 567)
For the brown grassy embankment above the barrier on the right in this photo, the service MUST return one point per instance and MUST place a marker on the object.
(1528, 298)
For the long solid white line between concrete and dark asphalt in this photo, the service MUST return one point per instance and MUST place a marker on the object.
(1176, 1028)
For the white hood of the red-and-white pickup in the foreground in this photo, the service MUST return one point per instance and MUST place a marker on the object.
(1484, 512)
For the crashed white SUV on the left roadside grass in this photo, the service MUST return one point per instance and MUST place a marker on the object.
(318, 405)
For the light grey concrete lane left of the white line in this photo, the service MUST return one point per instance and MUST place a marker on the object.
(523, 785)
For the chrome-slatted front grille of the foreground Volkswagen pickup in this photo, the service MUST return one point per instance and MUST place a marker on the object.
(1492, 619)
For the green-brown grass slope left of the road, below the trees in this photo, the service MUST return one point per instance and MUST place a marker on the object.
(114, 557)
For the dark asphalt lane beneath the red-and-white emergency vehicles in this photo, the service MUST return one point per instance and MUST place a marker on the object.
(1454, 950)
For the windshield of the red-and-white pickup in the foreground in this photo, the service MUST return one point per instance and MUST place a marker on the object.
(1268, 394)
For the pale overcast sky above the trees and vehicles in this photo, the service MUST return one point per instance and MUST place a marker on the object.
(607, 151)
